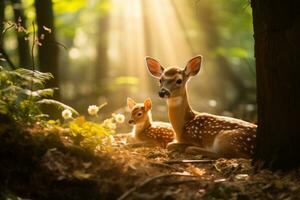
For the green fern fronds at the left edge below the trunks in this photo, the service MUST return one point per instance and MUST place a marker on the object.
(21, 93)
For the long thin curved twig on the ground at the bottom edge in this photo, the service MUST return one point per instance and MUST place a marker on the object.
(133, 189)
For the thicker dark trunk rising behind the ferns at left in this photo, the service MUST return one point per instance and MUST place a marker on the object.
(48, 52)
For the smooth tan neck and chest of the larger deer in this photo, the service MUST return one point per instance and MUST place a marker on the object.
(179, 113)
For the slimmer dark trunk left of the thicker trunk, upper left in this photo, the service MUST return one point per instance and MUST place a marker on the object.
(23, 46)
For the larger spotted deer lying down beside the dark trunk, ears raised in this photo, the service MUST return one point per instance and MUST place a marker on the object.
(207, 134)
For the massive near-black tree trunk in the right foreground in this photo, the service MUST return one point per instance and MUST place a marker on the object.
(277, 49)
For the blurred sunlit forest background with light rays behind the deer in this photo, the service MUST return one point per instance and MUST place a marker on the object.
(96, 50)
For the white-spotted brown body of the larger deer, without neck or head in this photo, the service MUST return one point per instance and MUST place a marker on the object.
(204, 129)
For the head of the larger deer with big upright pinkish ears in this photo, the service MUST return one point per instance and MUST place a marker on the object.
(173, 80)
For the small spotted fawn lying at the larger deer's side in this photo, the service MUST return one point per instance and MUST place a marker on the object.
(145, 130)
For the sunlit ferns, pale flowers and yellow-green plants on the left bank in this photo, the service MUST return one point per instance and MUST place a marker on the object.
(23, 92)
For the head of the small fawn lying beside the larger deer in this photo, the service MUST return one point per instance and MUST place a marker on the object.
(139, 111)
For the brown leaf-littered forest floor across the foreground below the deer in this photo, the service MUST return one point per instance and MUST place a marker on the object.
(38, 164)
